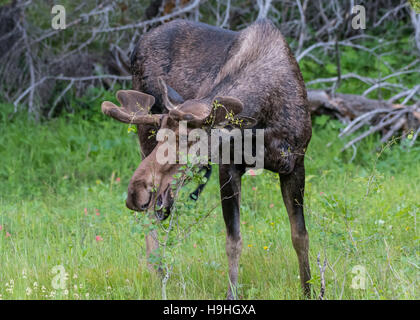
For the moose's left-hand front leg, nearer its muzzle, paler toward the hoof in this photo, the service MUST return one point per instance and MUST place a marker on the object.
(230, 192)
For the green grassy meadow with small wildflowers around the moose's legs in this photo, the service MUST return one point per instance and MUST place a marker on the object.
(50, 173)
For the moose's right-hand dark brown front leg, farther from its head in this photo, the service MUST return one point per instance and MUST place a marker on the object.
(292, 188)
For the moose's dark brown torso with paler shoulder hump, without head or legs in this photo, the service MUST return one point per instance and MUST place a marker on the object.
(200, 61)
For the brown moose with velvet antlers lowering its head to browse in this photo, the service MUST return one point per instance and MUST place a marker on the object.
(179, 70)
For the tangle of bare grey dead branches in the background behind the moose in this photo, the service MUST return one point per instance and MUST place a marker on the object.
(46, 55)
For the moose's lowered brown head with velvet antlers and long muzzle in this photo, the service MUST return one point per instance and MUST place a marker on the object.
(150, 185)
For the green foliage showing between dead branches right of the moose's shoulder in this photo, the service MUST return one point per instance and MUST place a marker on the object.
(369, 62)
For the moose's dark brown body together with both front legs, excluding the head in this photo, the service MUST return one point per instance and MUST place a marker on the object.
(255, 66)
